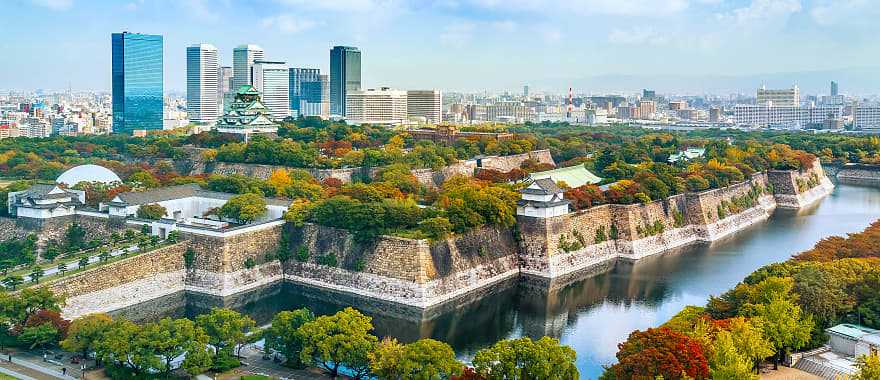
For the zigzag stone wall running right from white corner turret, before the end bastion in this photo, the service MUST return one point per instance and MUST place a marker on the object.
(557, 246)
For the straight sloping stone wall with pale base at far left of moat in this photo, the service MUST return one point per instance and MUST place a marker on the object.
(123, 283)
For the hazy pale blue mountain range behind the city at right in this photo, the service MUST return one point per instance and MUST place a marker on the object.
(855, 81)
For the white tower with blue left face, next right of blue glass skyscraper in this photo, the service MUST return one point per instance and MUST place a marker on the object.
(202, 98)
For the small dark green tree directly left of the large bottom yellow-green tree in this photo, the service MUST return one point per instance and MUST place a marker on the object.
(283, 335)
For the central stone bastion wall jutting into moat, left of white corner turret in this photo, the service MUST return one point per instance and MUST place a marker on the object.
(407, 271)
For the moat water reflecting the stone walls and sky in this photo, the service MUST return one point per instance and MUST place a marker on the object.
(591, 312)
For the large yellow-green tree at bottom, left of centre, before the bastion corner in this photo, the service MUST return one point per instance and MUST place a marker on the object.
(342, 339)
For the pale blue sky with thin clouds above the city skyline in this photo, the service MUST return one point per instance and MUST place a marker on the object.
(465, 45)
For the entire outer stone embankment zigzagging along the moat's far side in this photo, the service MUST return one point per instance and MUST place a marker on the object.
(421, 274)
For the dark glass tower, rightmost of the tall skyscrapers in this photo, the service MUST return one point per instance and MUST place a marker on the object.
(345, 76)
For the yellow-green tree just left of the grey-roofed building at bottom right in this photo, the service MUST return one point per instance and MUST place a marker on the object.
(784, 326)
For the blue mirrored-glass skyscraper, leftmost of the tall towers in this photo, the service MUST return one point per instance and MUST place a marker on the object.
(137, 87)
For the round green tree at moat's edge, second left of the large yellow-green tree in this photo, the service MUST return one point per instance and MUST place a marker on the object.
(226, 328)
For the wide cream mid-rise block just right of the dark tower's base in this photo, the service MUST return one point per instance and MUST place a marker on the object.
(376, 106)
